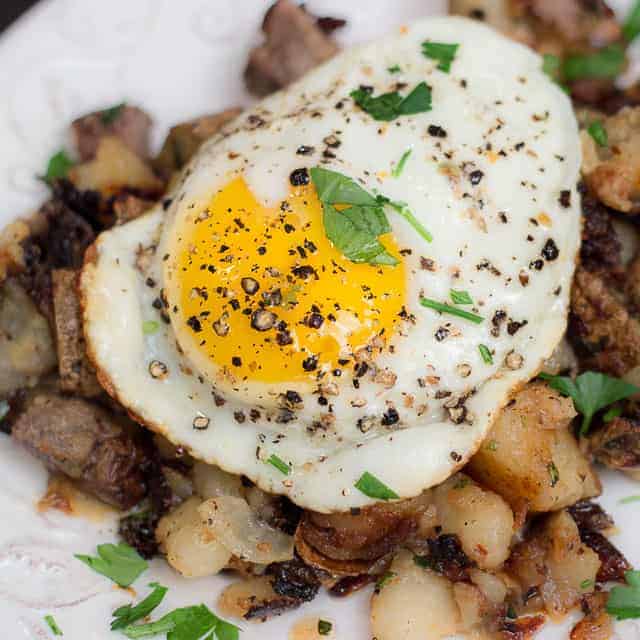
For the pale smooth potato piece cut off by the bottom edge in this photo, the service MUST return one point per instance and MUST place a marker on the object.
(415, 604)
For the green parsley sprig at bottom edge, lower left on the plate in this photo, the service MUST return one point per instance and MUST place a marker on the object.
(187, 623)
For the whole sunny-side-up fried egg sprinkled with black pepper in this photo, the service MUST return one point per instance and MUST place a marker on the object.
(227, 320)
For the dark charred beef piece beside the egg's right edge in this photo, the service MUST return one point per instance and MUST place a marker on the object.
(601, 249)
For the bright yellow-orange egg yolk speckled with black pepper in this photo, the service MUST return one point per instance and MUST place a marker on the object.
(268, 298)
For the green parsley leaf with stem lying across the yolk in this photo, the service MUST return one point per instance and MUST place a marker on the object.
(356, 227)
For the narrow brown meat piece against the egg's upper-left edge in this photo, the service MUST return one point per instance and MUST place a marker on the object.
(185, 139)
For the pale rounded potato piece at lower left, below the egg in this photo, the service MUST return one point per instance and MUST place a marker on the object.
(191, 548)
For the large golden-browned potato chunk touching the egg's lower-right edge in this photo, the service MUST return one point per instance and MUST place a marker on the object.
(530, 456)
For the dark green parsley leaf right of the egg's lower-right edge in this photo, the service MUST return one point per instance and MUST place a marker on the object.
(591, 392)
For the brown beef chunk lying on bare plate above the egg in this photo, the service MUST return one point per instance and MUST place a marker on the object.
(294, 45)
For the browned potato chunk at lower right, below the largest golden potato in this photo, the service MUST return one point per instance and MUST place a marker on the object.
(555, 561)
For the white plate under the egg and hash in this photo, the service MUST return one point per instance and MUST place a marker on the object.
(178, 59)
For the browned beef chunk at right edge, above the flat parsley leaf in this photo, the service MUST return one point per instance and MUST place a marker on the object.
(606, 337)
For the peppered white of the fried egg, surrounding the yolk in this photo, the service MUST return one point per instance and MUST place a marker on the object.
(504, 118)
